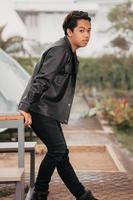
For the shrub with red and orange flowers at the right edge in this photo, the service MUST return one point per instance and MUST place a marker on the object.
(117, 112)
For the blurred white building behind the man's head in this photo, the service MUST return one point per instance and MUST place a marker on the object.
(43, 19)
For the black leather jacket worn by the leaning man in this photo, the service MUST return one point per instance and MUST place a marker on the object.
(50, 90)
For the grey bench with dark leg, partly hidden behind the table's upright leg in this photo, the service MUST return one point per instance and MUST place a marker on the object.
(8, 147)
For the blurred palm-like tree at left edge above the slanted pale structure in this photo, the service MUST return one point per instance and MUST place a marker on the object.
(12, 44)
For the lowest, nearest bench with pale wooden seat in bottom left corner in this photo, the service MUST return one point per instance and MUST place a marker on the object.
(16, 176)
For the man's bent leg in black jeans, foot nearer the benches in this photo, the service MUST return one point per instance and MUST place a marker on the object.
(48, 131)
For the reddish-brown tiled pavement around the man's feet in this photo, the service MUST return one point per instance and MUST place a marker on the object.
(105, 186)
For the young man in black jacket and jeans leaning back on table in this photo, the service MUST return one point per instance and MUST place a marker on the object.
(47, 100)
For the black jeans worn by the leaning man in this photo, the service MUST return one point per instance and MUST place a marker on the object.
(50, 132)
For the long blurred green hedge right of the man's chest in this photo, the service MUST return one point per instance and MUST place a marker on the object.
(107, 71)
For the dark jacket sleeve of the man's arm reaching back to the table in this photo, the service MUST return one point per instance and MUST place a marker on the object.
(43, 79)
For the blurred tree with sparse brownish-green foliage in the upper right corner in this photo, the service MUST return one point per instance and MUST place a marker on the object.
(121, 18)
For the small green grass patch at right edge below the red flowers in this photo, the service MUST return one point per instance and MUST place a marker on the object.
(125, 137)
